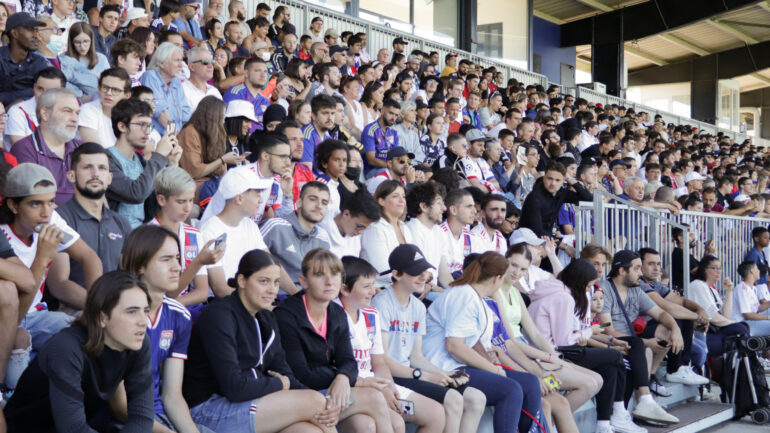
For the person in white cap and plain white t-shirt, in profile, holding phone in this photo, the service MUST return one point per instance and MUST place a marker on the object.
(241, 192)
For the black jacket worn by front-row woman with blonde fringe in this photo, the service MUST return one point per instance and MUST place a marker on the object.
(315, 361)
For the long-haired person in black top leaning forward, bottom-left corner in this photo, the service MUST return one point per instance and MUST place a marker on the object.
(79, 368)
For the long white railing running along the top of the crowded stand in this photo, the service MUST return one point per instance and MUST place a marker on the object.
(380, 36)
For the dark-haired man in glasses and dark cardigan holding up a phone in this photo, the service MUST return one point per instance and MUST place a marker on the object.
(132, 173)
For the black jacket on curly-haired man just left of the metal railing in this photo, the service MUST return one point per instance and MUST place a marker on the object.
(541, 209)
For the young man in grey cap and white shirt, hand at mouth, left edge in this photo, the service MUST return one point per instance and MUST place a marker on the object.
(36, 233)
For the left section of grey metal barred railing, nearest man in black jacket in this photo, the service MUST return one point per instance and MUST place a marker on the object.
(618, 224)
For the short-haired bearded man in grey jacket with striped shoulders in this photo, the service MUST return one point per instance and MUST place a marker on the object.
(289, 239)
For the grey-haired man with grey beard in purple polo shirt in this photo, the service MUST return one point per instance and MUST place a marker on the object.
(53, 141)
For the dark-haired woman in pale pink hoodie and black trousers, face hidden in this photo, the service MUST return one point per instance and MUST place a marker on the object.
(560, 310)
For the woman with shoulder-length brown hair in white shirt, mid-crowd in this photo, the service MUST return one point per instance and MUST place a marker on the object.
(390, 231)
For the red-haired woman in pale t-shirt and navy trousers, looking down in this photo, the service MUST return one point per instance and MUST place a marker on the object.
(459, 335)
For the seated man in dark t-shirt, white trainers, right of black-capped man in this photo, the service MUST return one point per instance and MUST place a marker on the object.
(687, 313)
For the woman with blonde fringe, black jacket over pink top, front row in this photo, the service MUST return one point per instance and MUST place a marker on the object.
(316, 339)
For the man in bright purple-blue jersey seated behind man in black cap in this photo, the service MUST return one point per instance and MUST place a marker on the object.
(378, 137)
